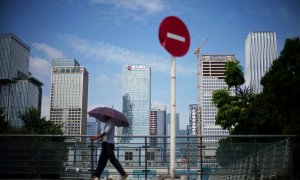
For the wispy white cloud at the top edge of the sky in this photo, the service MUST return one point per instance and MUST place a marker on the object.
(146, 6)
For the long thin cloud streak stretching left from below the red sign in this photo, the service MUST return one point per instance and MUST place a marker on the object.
(118, 55)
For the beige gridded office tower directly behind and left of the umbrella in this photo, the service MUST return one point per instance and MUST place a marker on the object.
(69, 93)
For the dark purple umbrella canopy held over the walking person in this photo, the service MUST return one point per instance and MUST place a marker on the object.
(117, 117)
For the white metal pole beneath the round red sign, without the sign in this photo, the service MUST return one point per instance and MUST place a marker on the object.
(173, 118)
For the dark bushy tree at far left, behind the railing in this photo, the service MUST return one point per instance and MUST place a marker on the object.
(34, 154)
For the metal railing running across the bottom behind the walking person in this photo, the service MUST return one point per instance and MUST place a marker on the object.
(147, 157)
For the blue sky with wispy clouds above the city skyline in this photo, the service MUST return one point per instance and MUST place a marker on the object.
(105, 35)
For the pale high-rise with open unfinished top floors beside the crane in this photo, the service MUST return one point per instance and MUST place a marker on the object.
(212, 78)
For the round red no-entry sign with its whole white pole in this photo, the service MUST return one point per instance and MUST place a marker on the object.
(175, 38)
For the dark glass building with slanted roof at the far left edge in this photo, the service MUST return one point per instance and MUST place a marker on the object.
(19, 90)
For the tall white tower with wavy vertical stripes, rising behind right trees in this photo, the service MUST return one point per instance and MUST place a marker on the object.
(260, 51)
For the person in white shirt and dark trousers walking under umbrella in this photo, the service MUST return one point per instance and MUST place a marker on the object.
(107, 152)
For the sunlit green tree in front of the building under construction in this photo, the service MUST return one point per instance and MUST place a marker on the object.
(233, 110)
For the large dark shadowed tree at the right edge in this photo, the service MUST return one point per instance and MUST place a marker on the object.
(281, 87)
